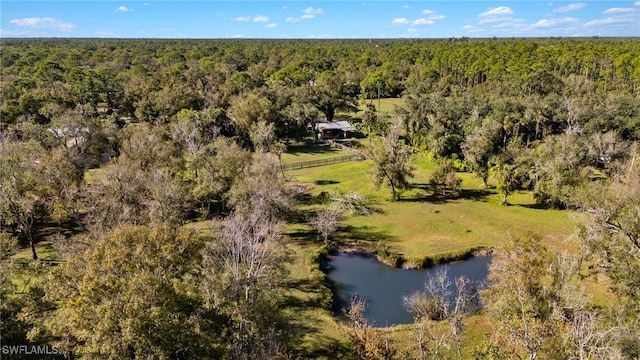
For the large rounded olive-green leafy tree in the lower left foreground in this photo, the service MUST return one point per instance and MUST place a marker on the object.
(133, 280)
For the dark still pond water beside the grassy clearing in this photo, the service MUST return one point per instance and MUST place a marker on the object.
(384, 286)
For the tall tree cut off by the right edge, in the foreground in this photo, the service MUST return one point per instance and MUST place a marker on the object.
(611, 233)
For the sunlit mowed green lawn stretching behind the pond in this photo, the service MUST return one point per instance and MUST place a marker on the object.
(423, 225)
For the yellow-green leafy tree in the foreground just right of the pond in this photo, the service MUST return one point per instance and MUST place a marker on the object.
(519, 300)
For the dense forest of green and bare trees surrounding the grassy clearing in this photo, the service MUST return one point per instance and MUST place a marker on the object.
(118, 148)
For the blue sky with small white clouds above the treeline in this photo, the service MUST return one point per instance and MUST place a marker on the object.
(317, 19)
